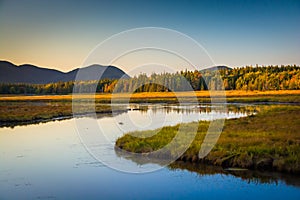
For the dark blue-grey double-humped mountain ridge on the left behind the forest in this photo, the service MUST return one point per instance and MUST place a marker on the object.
(10, 73)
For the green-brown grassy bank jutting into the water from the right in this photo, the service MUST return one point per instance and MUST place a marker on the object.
(269, 140)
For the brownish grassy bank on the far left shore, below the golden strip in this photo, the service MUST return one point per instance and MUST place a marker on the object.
(27, 112)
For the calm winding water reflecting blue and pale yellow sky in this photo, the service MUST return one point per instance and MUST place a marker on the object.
(48, 161)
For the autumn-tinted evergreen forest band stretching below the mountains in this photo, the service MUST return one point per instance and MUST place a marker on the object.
(260, 78)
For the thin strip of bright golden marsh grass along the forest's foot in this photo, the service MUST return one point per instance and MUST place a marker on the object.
(202, 96)
